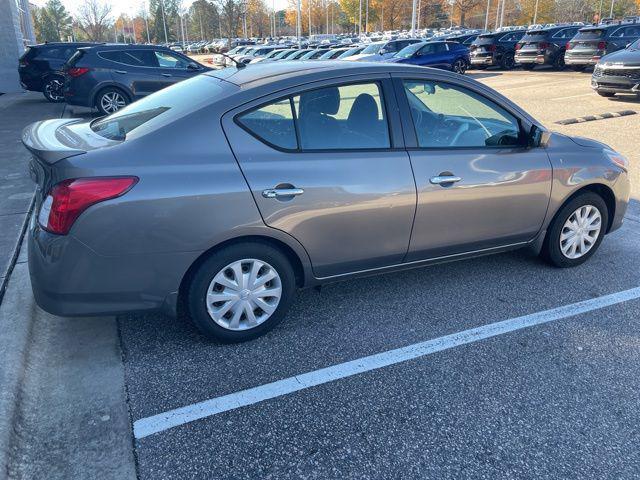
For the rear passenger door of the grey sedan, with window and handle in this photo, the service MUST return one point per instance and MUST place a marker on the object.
(325, 163)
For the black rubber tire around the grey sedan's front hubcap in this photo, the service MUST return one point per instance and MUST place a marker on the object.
(552, 250)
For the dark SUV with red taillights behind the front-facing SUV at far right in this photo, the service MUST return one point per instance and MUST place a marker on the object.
(592, 43)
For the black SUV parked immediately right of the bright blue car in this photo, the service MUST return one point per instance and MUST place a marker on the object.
(495, 49)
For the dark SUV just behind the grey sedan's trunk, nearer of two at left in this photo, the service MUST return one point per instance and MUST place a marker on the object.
(111, 76)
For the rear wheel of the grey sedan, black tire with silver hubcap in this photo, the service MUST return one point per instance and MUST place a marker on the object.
(206, 313)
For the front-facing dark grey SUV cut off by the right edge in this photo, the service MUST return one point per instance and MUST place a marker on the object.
(618, 72)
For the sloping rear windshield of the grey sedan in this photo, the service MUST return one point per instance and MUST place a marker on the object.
(159, 108)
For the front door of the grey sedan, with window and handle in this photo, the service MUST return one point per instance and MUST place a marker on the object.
(479, 186)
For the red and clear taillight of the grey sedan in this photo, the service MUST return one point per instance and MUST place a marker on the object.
(69, 198)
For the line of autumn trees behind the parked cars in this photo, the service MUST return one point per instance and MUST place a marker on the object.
(167, 20)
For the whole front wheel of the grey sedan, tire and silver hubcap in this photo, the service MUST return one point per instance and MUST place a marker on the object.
(577, 231)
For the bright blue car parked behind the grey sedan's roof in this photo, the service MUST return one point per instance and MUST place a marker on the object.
(446, 55)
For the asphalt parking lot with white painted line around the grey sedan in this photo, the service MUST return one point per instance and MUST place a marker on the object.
(551, 392)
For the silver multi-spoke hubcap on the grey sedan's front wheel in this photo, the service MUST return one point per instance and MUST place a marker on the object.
(580, 232)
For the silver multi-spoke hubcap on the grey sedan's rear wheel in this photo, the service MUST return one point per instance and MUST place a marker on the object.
(244, 294)
